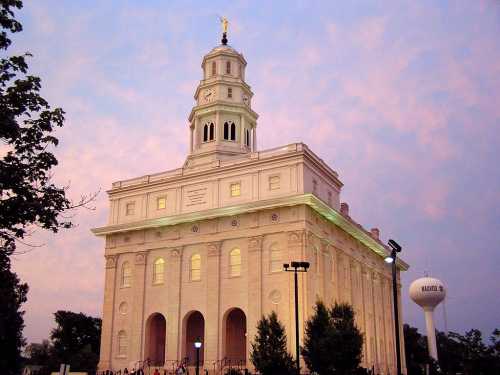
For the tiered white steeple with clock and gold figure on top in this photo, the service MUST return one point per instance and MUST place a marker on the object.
(222, 122)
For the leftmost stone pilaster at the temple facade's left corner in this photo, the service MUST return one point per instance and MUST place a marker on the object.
(108, 313)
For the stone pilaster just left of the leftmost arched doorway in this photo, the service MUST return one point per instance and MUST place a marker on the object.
(137, 329)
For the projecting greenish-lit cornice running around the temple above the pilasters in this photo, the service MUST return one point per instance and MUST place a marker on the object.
(307, 199)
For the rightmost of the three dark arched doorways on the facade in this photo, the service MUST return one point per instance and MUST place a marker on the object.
(235, 345)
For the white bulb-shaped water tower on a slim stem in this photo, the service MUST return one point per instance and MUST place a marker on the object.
(428, 292)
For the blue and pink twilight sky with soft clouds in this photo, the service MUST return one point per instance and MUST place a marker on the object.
(402, 98)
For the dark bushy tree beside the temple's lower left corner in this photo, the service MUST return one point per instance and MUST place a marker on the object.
(76, 340)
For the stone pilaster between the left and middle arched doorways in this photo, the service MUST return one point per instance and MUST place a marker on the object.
(174, 329)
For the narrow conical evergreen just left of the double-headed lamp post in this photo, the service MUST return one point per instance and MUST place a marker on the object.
(269, 353)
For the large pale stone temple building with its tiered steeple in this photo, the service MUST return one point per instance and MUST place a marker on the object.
(197, 252)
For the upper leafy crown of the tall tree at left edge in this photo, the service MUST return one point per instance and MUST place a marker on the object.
(27, 121)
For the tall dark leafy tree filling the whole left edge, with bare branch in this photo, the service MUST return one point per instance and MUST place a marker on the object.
(28, 198)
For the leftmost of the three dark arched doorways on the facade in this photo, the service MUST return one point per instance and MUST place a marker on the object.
(156, 328)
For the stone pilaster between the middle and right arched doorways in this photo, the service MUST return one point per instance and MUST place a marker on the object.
(213, 317)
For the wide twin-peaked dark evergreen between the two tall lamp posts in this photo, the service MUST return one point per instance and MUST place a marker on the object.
(332, 343)
